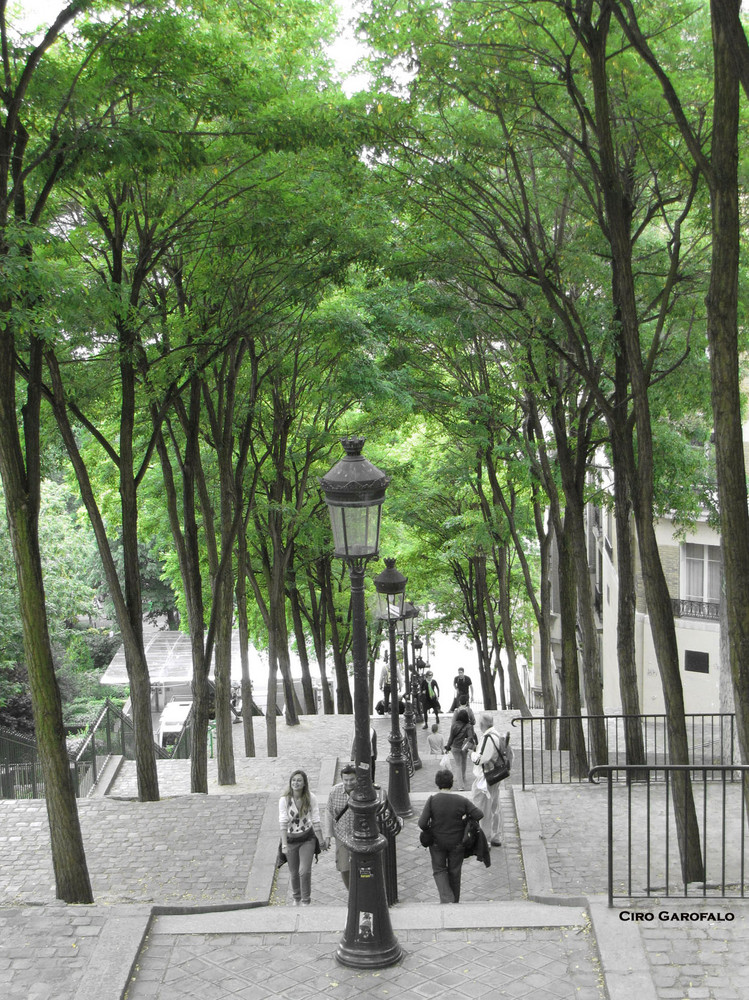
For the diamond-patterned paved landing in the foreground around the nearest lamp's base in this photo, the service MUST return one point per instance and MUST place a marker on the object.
(454, 964)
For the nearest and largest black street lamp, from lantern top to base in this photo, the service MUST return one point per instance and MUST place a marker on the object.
(354, 491)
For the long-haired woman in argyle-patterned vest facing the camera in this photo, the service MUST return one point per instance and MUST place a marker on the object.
(301, 834)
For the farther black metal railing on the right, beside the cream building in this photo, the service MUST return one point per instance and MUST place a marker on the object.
(711, 737)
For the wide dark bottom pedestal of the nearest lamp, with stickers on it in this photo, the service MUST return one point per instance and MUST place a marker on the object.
(368, 941)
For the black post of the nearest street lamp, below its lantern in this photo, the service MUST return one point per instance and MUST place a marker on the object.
(368, 941)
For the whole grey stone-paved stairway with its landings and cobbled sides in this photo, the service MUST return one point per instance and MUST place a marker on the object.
(206, 859)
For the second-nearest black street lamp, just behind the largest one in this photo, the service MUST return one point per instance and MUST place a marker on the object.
(391, 587)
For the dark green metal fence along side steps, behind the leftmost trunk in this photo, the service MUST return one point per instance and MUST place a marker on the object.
(20, 768)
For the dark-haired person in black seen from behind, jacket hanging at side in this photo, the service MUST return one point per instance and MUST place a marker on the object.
(444, 816)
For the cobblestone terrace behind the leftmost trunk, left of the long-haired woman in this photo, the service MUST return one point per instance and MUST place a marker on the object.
(191, 849)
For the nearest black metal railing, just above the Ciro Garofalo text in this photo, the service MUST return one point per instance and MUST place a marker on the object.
(644, 859)
